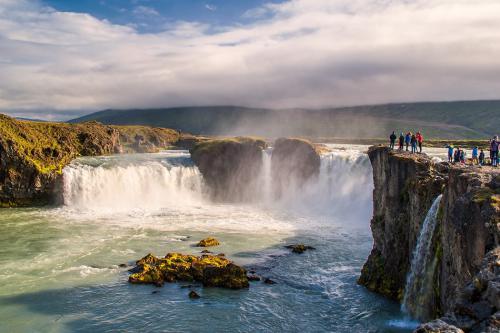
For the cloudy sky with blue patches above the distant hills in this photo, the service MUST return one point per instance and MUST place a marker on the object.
(60, 59)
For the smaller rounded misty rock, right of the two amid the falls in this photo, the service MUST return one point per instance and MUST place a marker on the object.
(293, 162)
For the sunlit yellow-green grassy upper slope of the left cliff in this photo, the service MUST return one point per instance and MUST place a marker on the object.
(49, 146)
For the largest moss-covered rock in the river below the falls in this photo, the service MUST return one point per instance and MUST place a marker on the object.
(212, 271)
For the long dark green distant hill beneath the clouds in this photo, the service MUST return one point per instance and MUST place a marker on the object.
(457, 120)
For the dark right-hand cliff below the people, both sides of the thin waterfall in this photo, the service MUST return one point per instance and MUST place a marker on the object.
(467, 227)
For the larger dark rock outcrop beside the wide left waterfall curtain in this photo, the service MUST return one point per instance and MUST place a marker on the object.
(230, 167)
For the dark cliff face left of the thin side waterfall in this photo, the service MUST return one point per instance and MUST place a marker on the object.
(405, 188)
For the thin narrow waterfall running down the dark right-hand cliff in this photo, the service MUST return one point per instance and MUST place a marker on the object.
(419, 282)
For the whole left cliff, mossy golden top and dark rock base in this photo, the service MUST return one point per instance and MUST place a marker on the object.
(33, 154)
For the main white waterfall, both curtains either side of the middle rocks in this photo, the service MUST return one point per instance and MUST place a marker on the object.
(155, 182)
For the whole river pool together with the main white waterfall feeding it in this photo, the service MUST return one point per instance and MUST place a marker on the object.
(60, 267)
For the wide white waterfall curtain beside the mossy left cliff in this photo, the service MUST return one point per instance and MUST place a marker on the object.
(118, 184)
